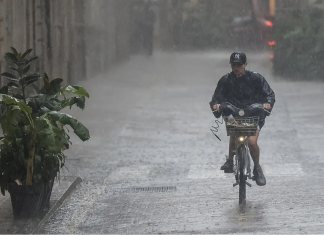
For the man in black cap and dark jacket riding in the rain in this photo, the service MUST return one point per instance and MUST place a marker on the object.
(243, 88)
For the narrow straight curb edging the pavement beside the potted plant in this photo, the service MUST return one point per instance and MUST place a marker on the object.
(57, 205)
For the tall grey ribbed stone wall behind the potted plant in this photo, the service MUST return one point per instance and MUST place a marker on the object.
(74, 39)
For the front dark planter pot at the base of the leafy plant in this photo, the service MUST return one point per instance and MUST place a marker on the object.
(26, 200)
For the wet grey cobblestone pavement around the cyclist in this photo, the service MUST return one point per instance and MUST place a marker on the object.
(152, 164)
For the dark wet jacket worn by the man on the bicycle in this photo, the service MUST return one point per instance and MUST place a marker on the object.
(243, 91)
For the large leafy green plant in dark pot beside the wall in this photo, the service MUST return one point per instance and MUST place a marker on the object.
(35, 133)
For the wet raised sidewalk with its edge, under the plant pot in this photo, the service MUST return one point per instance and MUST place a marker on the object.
(61, 190)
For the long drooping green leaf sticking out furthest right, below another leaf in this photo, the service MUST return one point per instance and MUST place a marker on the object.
(79, 129)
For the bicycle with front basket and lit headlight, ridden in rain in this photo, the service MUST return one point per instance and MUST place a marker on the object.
(241, 123)
